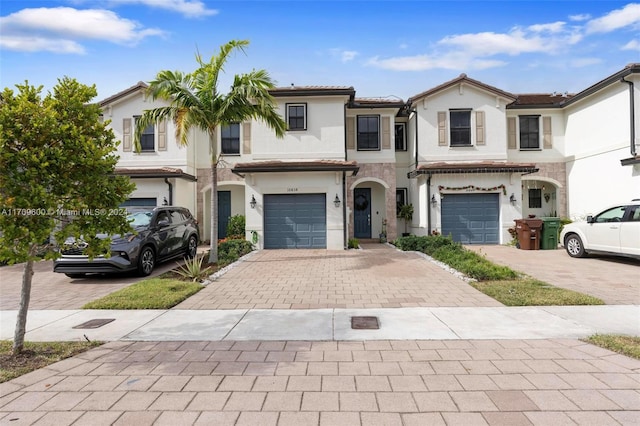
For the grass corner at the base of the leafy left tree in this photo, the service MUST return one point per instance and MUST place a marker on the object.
(37, 355)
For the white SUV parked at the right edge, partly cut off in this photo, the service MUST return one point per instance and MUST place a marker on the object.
(615, 230)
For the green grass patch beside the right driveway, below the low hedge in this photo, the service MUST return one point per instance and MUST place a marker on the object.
(532, 292)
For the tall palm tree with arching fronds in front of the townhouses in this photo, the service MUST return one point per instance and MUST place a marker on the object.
(196, 103)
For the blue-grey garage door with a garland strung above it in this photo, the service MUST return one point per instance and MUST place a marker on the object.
(471, 218)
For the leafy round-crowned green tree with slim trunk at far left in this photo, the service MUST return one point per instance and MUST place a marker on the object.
(57, 161)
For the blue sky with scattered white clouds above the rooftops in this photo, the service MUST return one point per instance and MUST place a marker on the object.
(381, 48)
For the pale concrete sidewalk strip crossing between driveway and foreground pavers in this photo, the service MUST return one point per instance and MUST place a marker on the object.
(329, 324)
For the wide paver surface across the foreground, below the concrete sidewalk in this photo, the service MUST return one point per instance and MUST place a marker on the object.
(463, 382)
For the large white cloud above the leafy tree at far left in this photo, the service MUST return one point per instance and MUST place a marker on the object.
(45, 28)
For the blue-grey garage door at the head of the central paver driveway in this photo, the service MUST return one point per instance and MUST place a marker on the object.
(295, 221)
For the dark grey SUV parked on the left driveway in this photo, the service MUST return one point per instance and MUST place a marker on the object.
(162, 233)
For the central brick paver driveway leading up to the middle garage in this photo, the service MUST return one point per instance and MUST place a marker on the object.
(378, 276)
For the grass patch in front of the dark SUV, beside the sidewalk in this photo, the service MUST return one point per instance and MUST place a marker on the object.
(153, 293)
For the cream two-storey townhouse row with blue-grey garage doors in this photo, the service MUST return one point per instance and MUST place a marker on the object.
(468, 156)
